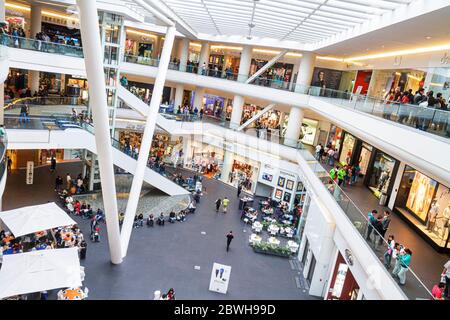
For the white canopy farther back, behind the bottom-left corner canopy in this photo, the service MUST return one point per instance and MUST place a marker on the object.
(32, 219)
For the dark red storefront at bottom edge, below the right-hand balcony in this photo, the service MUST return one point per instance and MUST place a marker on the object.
(343, 285)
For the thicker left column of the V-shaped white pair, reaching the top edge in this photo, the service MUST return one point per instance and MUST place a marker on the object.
(93, 59)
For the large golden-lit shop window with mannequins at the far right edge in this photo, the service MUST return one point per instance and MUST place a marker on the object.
(425, 204)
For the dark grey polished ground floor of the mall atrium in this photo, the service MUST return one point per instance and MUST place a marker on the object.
(163, 257)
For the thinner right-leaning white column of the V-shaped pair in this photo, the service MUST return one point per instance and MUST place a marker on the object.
(147, 139)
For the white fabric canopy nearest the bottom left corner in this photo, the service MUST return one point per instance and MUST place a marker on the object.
(40, 270)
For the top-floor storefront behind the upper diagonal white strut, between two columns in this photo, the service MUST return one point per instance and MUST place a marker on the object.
(277, 76)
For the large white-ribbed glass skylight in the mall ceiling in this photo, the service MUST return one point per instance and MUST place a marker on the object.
(304, 21)
